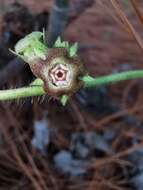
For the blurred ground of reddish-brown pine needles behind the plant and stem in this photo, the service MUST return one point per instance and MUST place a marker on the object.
(96, 140)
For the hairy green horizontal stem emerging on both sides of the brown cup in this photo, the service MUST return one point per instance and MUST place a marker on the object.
(89, 82)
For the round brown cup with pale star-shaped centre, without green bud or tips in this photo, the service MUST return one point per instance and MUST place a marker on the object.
(59, 72)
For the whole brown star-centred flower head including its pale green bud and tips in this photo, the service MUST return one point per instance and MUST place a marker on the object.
(59, 67)
